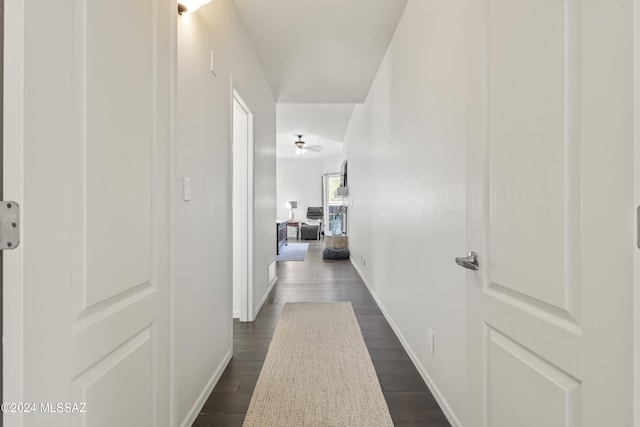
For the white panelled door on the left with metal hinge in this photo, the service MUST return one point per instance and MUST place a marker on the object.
(87, 148)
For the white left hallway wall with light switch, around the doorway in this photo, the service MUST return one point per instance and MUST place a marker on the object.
(202, 263)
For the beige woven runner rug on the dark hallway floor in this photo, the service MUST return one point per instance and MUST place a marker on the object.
(318, 373)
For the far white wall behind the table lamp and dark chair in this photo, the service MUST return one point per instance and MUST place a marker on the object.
(298, 180)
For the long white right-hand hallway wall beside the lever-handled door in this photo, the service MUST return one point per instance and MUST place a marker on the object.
(405, 148)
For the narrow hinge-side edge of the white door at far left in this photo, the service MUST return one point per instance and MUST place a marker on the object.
(13, 185)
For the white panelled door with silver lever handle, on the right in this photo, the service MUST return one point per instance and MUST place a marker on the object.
(549, 312)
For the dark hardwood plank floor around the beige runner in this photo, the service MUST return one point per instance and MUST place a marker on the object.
(410, 402)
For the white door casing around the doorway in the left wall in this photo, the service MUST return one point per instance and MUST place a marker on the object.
(246, 214)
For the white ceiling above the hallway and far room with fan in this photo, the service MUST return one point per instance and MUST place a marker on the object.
(320, 58)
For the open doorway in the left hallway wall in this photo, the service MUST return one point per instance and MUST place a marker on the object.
(242, 209)
